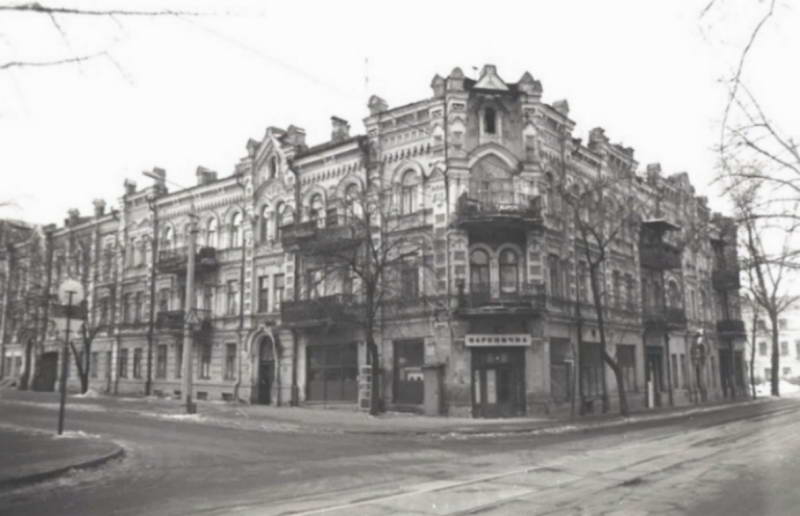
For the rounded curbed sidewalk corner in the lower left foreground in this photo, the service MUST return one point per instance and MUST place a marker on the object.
(28, 456)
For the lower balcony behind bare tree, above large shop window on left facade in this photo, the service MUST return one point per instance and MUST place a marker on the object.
(320, 311)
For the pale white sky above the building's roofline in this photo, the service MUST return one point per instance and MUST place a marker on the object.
(183, 92)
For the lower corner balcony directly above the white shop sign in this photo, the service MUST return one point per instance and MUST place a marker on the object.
(493, 299)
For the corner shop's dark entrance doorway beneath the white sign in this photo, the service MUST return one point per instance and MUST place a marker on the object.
(498, 382)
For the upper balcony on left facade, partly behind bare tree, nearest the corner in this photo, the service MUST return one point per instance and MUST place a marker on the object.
(310, 237)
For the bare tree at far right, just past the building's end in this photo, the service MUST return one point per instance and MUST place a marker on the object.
(767, 270)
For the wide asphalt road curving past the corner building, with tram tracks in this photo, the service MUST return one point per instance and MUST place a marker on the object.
(178, 467)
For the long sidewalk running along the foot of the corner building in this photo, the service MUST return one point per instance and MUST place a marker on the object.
(349, 420)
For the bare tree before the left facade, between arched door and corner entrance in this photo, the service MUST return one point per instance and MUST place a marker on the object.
(362, 257)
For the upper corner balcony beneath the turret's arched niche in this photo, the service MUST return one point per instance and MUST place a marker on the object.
(498, 209)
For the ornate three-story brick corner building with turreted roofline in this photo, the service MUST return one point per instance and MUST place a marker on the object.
(483, 303)
